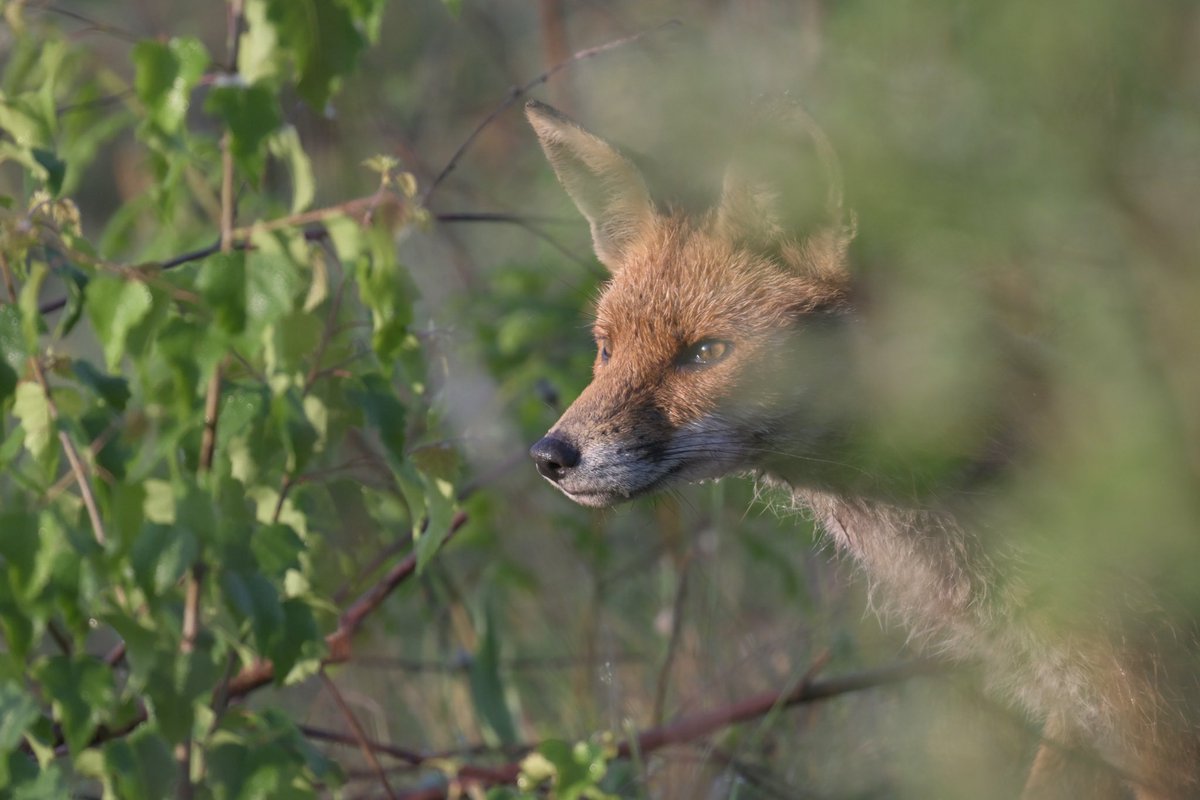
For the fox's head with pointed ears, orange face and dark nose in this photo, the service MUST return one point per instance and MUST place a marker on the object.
(717, 335)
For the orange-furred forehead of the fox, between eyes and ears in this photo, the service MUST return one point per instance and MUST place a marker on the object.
(680, 285)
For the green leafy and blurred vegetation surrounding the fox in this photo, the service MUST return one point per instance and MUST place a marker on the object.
(370, 376)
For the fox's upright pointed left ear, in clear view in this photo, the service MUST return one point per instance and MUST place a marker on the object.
(608, 189)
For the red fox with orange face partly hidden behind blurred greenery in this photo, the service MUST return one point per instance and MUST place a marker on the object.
(723, 340)
